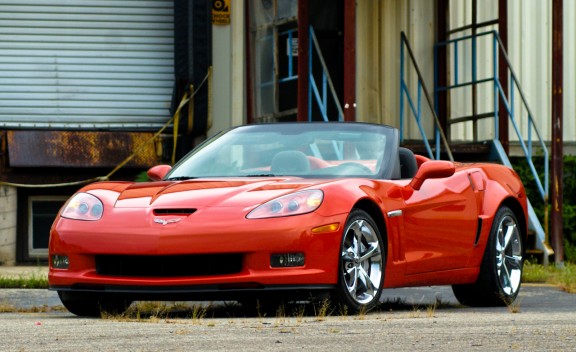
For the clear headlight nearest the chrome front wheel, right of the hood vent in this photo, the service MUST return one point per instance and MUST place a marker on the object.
(291, 204)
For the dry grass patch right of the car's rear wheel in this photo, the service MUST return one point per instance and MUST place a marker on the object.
(564, 278)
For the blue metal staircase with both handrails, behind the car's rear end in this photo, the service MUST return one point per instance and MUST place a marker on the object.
(516, 106)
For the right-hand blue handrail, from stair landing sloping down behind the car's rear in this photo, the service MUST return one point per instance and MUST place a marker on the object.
(509, 102)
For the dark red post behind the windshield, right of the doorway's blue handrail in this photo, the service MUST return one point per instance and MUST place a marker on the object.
(349, 60)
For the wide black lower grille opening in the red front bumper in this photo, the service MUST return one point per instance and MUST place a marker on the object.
(168, 266)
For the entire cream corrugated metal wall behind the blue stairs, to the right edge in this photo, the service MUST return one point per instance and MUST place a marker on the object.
(529, 47)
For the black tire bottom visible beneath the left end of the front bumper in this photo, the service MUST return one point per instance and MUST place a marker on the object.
(90, 306)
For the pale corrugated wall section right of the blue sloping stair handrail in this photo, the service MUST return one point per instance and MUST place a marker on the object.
(530, 47)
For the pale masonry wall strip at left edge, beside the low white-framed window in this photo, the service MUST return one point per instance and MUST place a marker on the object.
(8, 204)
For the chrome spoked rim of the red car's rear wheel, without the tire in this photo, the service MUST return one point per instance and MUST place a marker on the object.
(508, 255)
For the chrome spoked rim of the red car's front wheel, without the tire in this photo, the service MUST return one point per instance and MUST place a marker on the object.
(362, 261)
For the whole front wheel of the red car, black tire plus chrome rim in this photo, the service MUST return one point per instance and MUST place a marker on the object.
(361, 266)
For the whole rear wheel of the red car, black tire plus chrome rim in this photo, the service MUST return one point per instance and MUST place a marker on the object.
(500, 274)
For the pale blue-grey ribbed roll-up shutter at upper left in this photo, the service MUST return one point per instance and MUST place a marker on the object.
(86, 63)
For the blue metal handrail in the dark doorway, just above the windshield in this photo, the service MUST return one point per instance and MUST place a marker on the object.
(321, 100)
